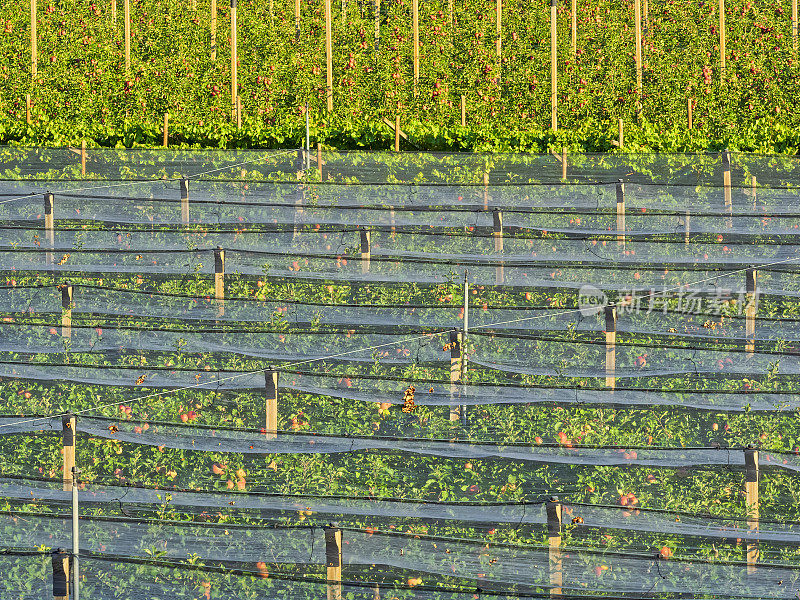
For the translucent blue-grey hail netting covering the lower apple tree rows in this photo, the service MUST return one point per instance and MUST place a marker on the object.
(349, 285)
